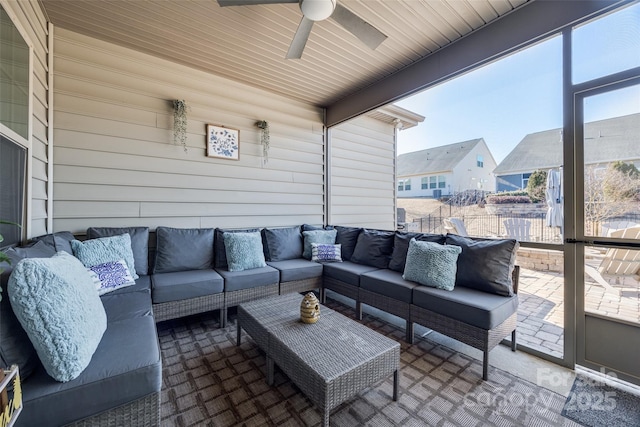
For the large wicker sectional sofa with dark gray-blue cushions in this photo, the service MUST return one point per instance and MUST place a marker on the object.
(188, 271)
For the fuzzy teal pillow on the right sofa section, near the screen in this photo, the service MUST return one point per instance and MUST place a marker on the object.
(432, 264)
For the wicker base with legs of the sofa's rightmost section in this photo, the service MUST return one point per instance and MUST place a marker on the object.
(479, 338)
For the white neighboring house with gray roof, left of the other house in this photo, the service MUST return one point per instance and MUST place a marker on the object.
(441, 171)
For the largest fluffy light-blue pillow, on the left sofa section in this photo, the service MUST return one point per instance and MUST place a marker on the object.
(57, 305)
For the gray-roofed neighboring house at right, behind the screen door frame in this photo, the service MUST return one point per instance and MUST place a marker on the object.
(605, 141)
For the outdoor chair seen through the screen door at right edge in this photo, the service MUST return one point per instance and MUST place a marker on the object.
(617, 261)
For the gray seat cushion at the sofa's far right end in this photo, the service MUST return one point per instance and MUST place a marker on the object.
(477, 308)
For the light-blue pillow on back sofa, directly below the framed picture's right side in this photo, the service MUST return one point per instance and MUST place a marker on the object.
(244, 251)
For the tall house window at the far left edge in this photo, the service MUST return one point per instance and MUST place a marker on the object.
(15, 95)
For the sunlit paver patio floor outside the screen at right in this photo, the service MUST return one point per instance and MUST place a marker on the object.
(541, 310)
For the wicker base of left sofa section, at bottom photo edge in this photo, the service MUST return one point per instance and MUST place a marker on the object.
(144, 412)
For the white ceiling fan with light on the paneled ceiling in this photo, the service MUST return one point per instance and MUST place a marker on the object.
(319, 10)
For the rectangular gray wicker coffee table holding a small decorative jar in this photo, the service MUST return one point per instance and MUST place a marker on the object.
(330, 361)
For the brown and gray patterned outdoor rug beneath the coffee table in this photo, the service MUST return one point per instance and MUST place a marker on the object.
(209, 381)
